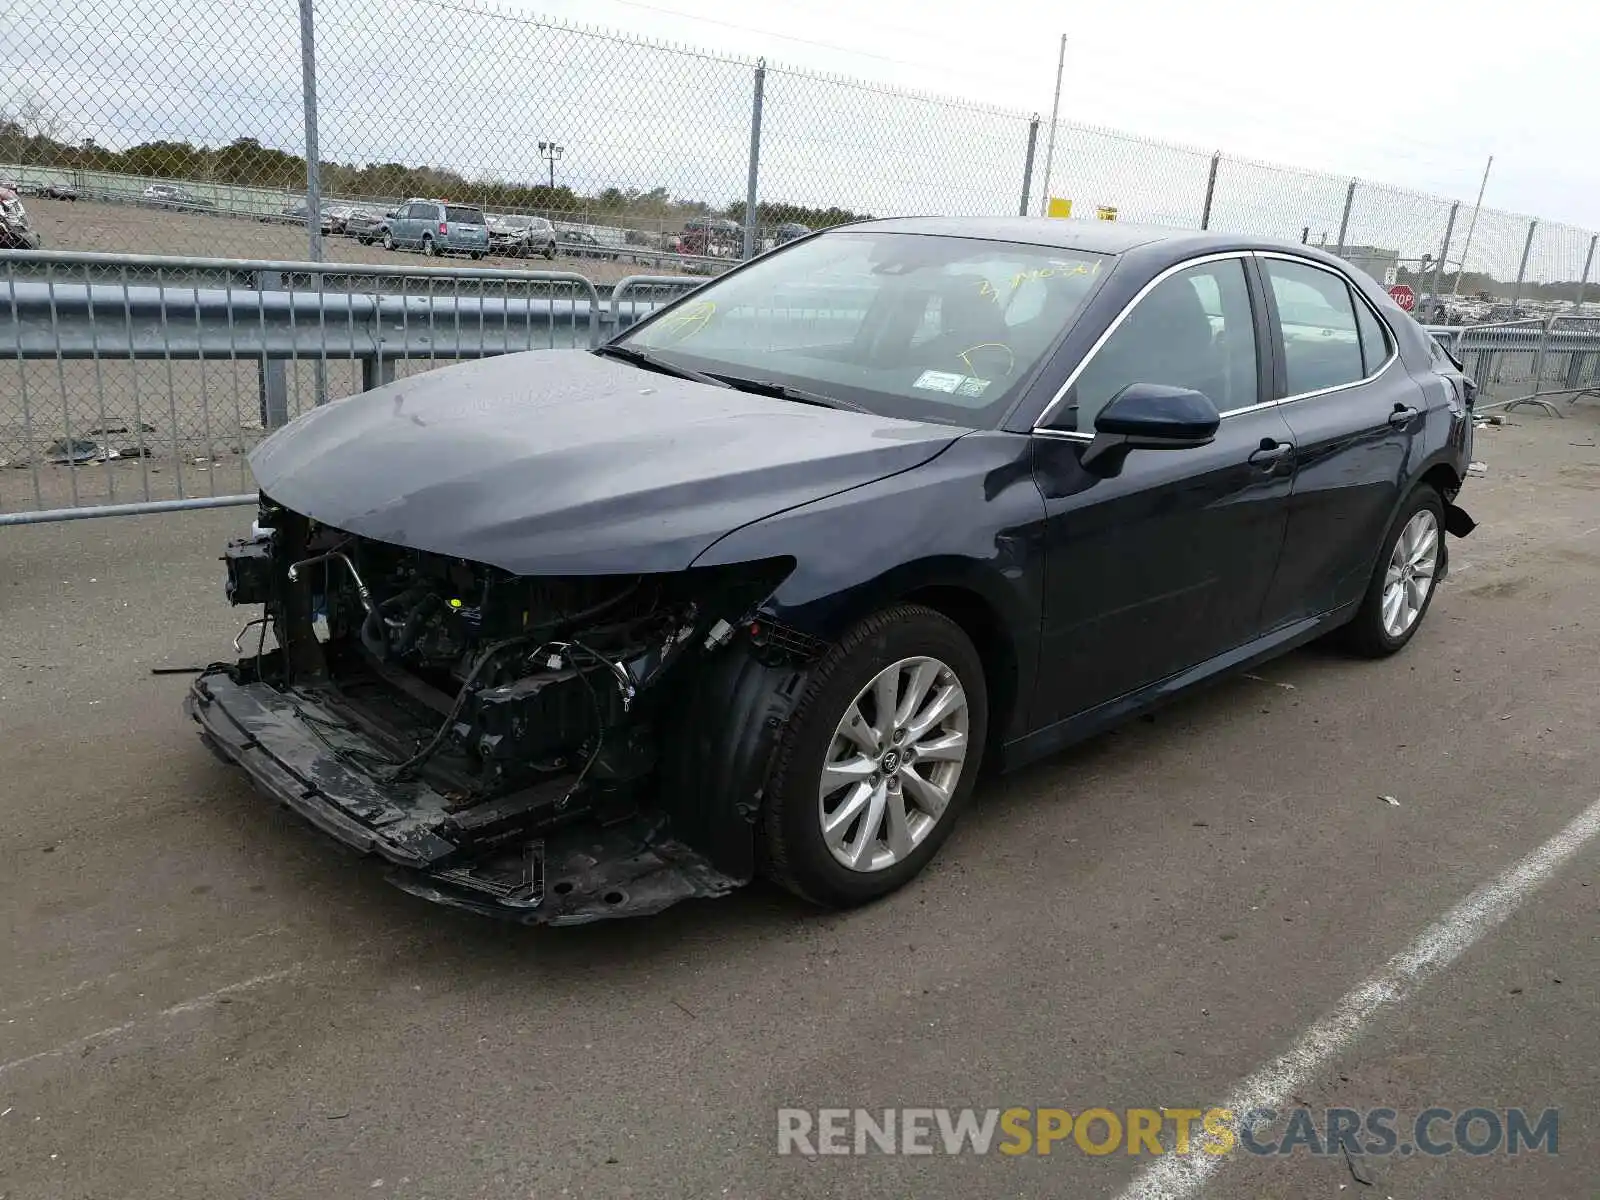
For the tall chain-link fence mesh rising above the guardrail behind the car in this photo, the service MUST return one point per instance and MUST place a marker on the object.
(183, 129)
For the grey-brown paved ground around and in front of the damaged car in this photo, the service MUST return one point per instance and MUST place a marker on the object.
(204, 999)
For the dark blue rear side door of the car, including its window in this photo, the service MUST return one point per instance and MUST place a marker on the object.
(1356, 415)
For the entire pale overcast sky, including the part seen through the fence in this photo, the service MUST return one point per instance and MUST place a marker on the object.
(1409, 95)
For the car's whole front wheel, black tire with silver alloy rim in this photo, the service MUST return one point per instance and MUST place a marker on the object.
(878, 761)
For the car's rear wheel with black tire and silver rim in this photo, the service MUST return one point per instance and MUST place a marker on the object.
(1404, 582)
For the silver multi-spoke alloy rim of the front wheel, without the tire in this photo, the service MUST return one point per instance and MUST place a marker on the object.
(894, 764)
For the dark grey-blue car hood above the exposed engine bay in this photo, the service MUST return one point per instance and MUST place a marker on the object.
(566, 463)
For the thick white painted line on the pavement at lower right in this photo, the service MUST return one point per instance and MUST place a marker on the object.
(1444, 942)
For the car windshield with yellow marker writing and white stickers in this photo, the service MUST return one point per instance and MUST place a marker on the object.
(932, 329)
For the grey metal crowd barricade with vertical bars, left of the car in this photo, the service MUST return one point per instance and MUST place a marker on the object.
(140, 385)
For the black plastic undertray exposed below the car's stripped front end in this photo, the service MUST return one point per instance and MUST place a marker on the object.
(572, 876)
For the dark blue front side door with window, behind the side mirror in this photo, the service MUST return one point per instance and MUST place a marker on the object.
(1166, 564)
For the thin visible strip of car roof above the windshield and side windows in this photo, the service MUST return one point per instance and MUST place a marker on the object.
(1095, 238)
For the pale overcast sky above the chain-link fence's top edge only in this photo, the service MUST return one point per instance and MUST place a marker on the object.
(1414, 94)
